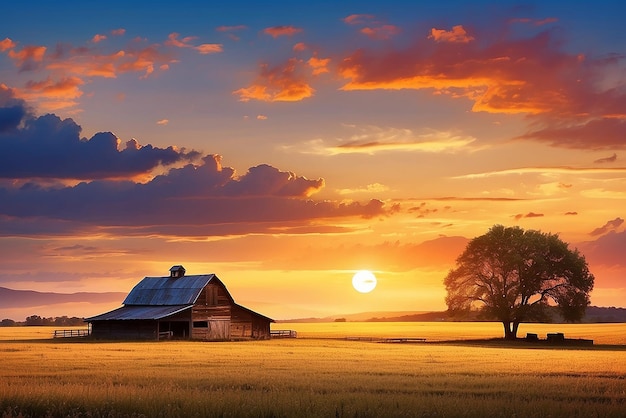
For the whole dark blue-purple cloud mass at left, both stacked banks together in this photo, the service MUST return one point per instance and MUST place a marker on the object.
(193, 196)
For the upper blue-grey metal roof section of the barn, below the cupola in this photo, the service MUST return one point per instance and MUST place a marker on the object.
(159, 291)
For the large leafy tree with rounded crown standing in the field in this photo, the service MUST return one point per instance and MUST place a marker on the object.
(512, 275)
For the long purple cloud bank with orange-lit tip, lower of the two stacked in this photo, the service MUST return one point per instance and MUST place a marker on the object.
(195, 200)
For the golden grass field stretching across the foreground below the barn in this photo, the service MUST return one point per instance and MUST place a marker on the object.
(306, 377)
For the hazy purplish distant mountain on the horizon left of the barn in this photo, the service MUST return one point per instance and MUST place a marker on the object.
(10, 298)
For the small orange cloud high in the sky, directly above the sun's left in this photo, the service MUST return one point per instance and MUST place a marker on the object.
(282, 83)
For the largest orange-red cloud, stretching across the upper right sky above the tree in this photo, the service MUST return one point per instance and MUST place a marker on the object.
(523, 76)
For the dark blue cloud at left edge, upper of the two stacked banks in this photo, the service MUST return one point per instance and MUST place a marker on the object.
(49, 147)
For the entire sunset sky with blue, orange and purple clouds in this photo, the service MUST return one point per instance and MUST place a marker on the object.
(285, 146)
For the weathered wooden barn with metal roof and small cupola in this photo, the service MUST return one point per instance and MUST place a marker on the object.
(179, 306)
